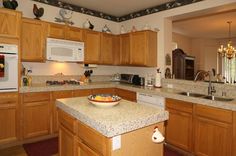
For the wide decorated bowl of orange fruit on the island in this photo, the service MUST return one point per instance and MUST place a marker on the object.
(104, 100)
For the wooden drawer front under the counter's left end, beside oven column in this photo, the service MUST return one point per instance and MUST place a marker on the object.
(35, 97)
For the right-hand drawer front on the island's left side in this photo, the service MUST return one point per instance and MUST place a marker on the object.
(92, 138)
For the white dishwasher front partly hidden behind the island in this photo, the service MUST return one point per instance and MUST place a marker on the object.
(152, 100)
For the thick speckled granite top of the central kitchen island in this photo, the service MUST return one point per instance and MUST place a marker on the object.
(122, 118)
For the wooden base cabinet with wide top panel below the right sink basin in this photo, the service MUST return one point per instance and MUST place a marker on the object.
(213, 131)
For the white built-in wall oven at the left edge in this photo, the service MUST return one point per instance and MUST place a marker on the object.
(8, 67)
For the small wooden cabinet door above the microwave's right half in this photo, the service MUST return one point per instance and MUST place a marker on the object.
(73, 33)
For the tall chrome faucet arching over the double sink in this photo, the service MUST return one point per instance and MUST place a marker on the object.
(211, 88)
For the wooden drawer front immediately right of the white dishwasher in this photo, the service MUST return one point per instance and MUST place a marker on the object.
(179, 105)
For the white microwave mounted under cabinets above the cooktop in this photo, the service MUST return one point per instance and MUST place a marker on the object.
(64, 50)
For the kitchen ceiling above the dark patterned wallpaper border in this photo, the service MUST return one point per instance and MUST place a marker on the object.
(117, 7)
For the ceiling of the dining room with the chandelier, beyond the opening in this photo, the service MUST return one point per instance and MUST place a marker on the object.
(212, 26)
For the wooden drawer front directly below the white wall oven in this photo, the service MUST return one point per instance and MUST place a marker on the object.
(8, 98)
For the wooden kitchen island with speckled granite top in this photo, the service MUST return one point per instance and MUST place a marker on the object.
(125, 129)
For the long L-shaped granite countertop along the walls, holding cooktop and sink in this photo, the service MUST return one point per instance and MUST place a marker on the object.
(164, 92)
